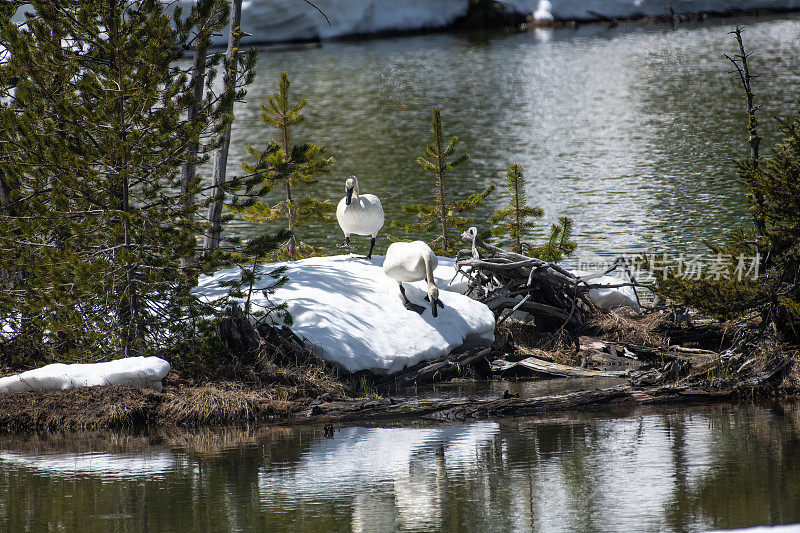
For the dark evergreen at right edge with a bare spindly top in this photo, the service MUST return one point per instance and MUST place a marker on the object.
(771, 287)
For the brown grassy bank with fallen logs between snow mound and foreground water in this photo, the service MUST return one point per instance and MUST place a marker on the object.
(645, 374)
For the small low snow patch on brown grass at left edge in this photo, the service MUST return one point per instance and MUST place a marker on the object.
(132, 371)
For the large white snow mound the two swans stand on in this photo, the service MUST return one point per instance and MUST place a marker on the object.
(354, 315)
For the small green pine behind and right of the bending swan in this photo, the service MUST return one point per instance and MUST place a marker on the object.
(444, 216)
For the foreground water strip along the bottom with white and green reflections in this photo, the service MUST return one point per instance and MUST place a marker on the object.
(654, 469)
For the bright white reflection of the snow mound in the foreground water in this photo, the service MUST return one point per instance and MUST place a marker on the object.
(402, 471)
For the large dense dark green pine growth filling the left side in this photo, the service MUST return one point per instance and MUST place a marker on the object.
(93, 134)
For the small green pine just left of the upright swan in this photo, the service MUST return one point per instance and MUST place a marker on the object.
(286, 166)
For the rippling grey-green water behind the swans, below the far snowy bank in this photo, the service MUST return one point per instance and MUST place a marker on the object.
(631, 131)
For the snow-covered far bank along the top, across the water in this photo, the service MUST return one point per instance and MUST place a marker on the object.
(287, 20)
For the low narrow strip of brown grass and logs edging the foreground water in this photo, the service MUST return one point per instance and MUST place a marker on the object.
(214, 405)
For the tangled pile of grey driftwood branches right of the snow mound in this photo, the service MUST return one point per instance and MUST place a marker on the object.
(508, 282)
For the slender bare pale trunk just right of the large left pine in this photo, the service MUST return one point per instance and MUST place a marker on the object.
(221, 156)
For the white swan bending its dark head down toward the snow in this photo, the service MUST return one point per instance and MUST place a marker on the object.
(413, 261)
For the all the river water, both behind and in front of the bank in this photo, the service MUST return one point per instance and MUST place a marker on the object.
(631, 131)
